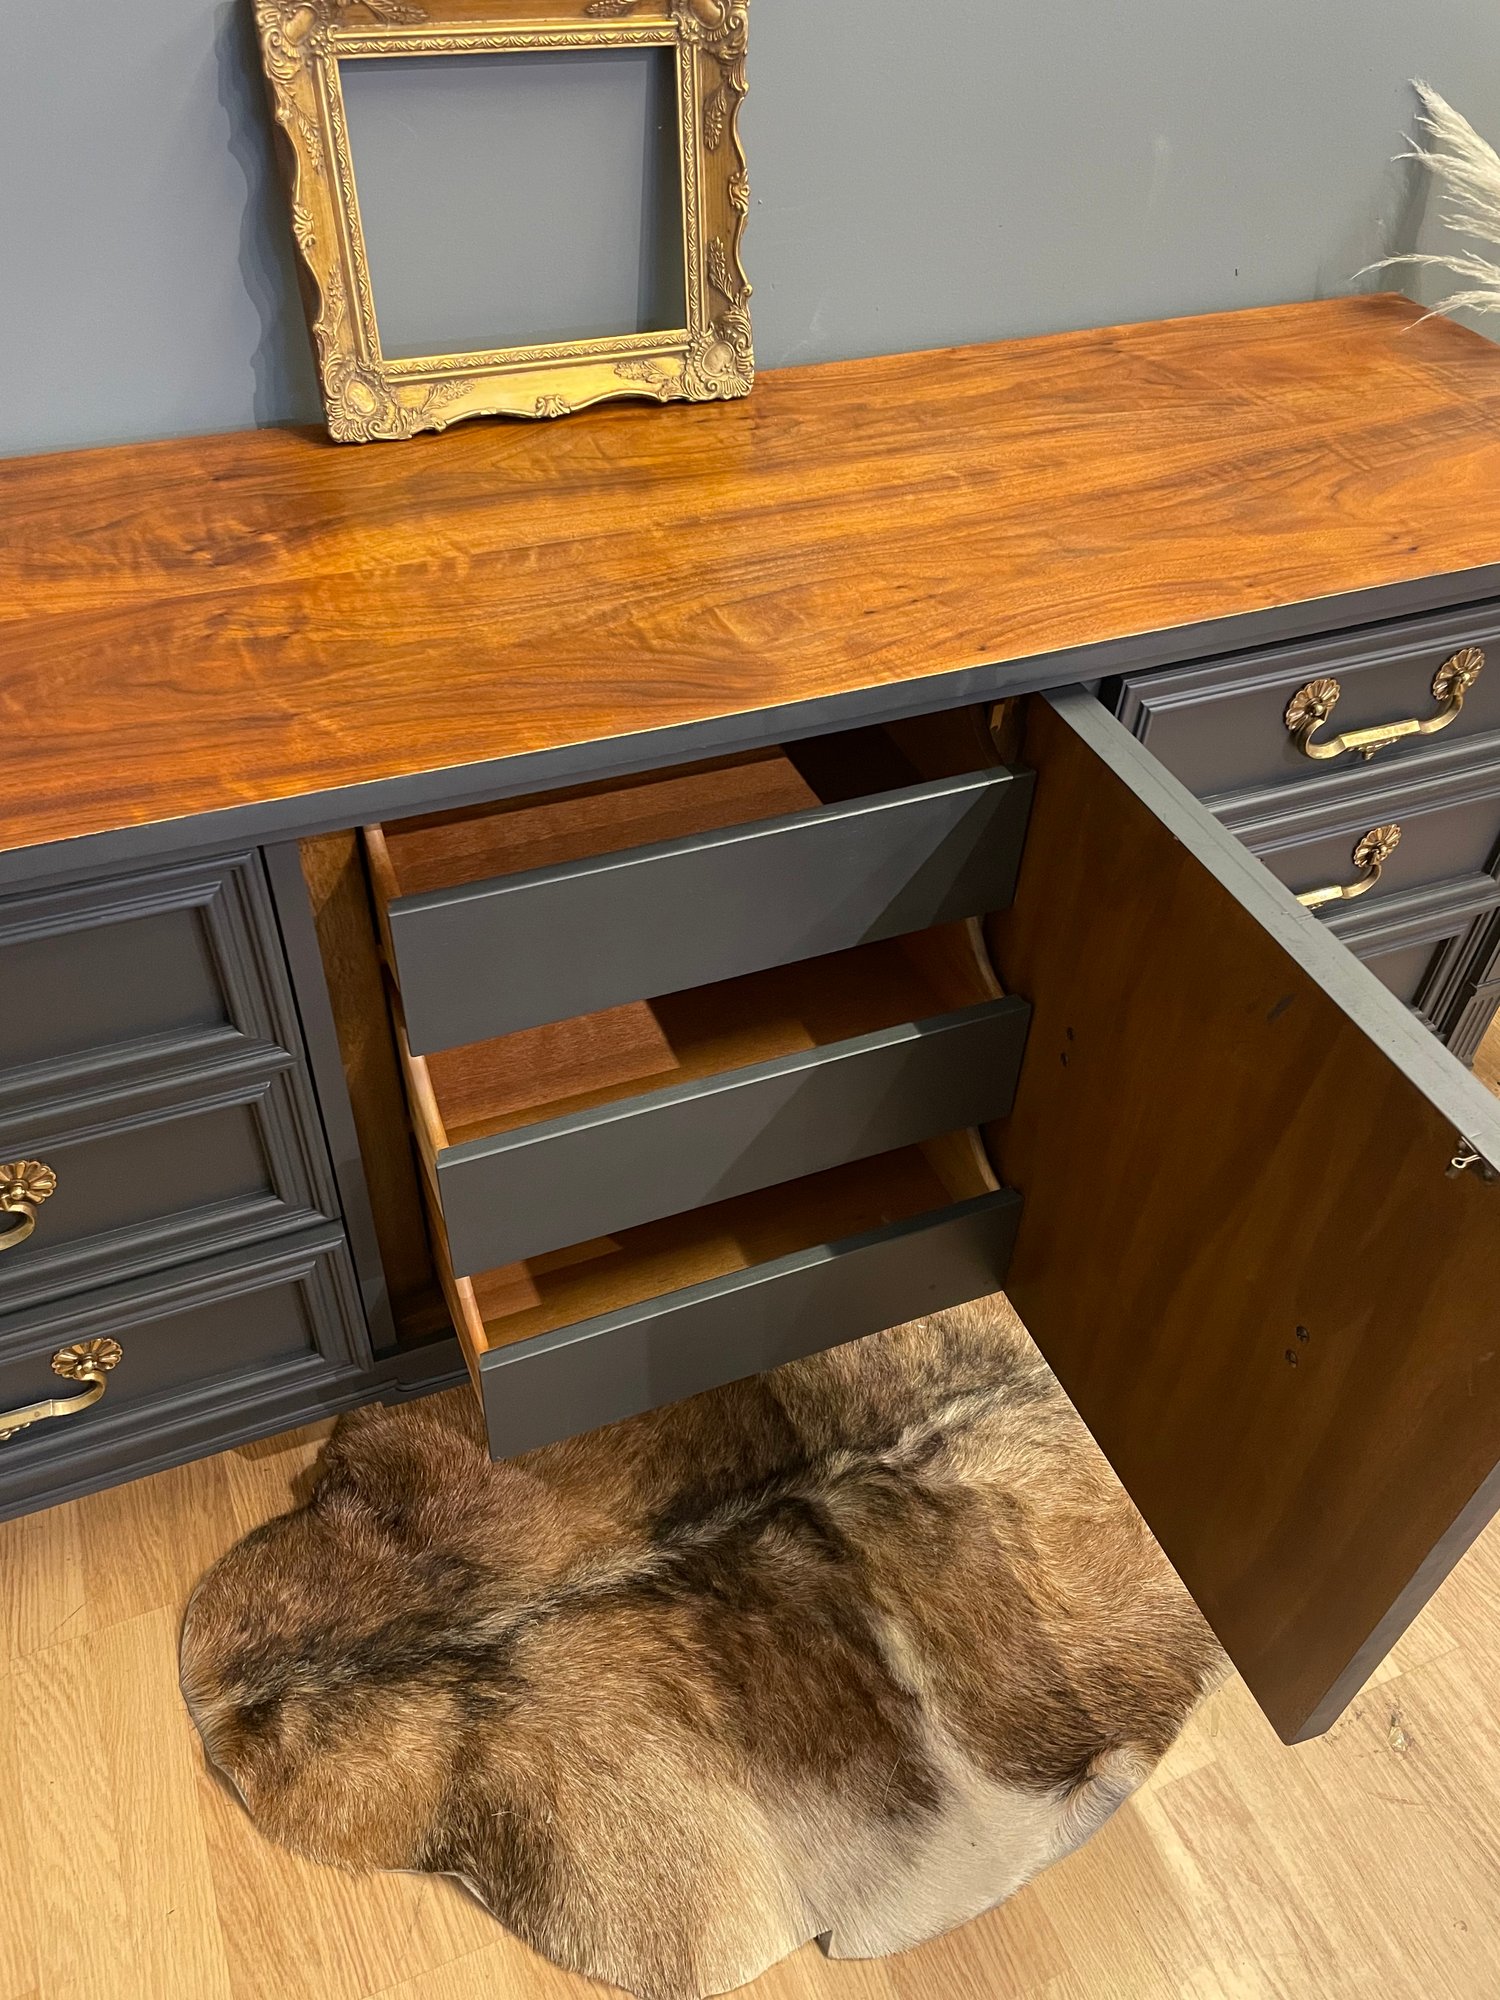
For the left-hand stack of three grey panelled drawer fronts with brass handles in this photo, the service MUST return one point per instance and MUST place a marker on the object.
(165, 1183)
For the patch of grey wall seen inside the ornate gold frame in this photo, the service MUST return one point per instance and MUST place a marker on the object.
(475, 139)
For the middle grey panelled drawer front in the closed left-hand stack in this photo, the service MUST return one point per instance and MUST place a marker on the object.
(161, 1175)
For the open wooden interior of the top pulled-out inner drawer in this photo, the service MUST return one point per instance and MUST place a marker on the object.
(555, 829)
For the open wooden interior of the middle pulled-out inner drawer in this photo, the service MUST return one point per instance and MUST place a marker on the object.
(577, 1065)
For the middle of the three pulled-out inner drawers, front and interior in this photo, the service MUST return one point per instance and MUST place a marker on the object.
(597, 1125)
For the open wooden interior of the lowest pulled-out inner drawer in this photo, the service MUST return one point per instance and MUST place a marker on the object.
(587, 1281)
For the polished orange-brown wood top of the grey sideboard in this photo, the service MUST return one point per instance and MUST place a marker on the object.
(221, 623)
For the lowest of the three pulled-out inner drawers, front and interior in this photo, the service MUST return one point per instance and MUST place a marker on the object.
(625, 1325)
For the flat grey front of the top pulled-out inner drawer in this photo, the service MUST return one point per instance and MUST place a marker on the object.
(519, 951)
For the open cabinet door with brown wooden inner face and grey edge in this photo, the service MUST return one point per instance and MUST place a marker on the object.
(1247, 1247)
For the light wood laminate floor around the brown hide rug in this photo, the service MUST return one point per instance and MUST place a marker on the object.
(1363, 1865)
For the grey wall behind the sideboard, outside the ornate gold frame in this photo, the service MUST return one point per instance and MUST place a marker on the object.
(923, 173)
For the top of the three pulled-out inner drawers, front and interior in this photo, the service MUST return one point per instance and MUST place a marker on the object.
(541, 909)
